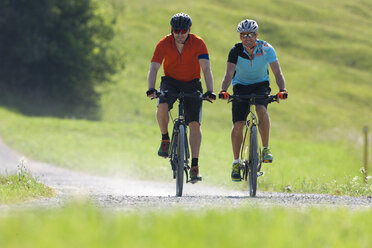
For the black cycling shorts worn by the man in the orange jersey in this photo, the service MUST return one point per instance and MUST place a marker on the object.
(192, 106)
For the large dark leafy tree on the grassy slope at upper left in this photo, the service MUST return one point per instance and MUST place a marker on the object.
(54, 53)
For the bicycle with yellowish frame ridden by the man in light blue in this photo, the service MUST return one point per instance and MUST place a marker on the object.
(250, 153)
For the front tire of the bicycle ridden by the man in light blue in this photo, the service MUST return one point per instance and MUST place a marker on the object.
(253, 162)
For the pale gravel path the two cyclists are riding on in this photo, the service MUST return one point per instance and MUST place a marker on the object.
(133, 195)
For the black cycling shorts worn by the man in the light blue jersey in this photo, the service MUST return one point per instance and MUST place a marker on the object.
(240, 110)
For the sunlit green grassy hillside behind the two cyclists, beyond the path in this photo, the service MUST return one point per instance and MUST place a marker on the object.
(316, 138)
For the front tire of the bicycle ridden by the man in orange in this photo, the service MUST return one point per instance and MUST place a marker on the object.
(181, 160)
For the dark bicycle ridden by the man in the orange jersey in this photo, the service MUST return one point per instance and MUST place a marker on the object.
(179, 154)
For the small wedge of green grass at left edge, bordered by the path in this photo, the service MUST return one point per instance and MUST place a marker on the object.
(21, 187)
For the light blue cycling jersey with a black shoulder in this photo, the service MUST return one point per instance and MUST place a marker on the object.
(252, 70)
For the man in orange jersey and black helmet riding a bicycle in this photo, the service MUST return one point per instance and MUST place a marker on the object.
(183, 54)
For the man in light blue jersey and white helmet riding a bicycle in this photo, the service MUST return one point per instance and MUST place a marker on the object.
(247, 70)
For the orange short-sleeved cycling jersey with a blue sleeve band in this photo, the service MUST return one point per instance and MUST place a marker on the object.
(181, 66)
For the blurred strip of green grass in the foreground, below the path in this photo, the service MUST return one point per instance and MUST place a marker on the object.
(81, 225)
